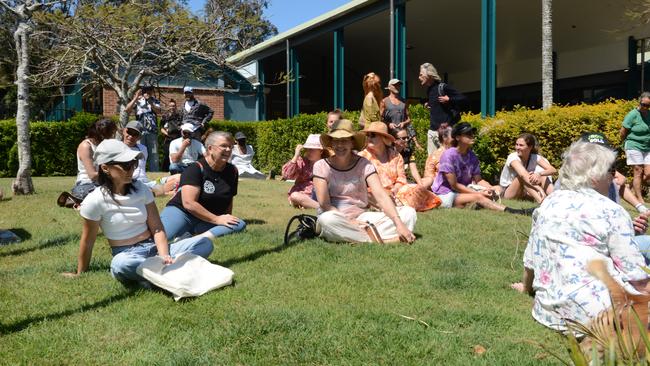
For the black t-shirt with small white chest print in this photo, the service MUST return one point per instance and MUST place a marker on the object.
(217, 188)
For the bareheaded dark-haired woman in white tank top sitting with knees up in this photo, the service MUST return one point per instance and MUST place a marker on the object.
(526, 174)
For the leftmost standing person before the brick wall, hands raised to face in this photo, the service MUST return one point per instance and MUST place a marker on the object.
(146, 112)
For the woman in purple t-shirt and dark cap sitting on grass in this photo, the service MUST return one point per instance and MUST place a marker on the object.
(459, 180)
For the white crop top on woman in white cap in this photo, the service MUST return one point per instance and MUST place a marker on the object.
(118, 222)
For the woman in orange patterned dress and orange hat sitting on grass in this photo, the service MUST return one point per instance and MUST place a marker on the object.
(390, 168)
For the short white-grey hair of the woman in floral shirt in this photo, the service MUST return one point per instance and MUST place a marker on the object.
(584, 163)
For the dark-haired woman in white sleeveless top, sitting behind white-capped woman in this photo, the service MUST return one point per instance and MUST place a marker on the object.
(86, 167)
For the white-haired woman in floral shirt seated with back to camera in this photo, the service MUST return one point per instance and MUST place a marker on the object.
(574, 225)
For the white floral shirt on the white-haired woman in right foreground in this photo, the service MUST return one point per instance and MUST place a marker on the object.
(569, 229)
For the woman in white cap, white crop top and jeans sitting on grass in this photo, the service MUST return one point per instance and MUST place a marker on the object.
(126, 212)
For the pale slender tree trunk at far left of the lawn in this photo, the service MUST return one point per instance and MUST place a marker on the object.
(23, 183)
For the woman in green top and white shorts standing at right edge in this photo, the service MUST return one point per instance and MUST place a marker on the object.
(636, 134)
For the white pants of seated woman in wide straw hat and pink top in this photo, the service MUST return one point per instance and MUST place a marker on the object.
(337, 227)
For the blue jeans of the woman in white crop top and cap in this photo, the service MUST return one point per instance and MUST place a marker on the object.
(126, 259)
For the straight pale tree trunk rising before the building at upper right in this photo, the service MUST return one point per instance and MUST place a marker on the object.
(547, 54)
